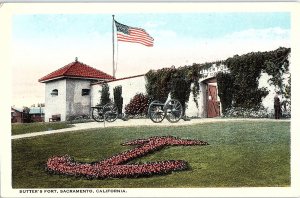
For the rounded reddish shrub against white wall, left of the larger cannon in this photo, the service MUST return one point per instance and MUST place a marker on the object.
(138, 105)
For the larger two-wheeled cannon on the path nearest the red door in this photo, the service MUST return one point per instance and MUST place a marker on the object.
(171, 109)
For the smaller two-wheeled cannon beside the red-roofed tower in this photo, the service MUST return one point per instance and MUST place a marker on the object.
(107, 112)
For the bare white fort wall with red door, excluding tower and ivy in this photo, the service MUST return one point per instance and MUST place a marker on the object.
(208, 100)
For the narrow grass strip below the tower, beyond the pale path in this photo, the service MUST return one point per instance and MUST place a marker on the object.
(22, 128)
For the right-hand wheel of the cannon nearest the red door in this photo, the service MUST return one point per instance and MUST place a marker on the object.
(173, 110)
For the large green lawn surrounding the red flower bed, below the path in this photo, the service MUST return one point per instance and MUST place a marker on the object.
(240, 154)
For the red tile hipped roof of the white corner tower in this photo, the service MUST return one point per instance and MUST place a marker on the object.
(78, 70)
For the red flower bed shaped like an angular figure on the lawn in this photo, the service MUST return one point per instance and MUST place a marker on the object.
(115, 167)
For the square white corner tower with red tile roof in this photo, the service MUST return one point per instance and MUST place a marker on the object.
(67, 90)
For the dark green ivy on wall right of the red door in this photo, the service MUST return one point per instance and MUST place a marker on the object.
(245, 71)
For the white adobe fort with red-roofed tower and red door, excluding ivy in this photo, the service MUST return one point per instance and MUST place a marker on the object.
(73, 89)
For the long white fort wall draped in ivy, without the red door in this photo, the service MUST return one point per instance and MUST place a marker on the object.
(239, 81)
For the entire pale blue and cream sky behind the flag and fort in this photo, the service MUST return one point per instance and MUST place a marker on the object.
(43, 43)
